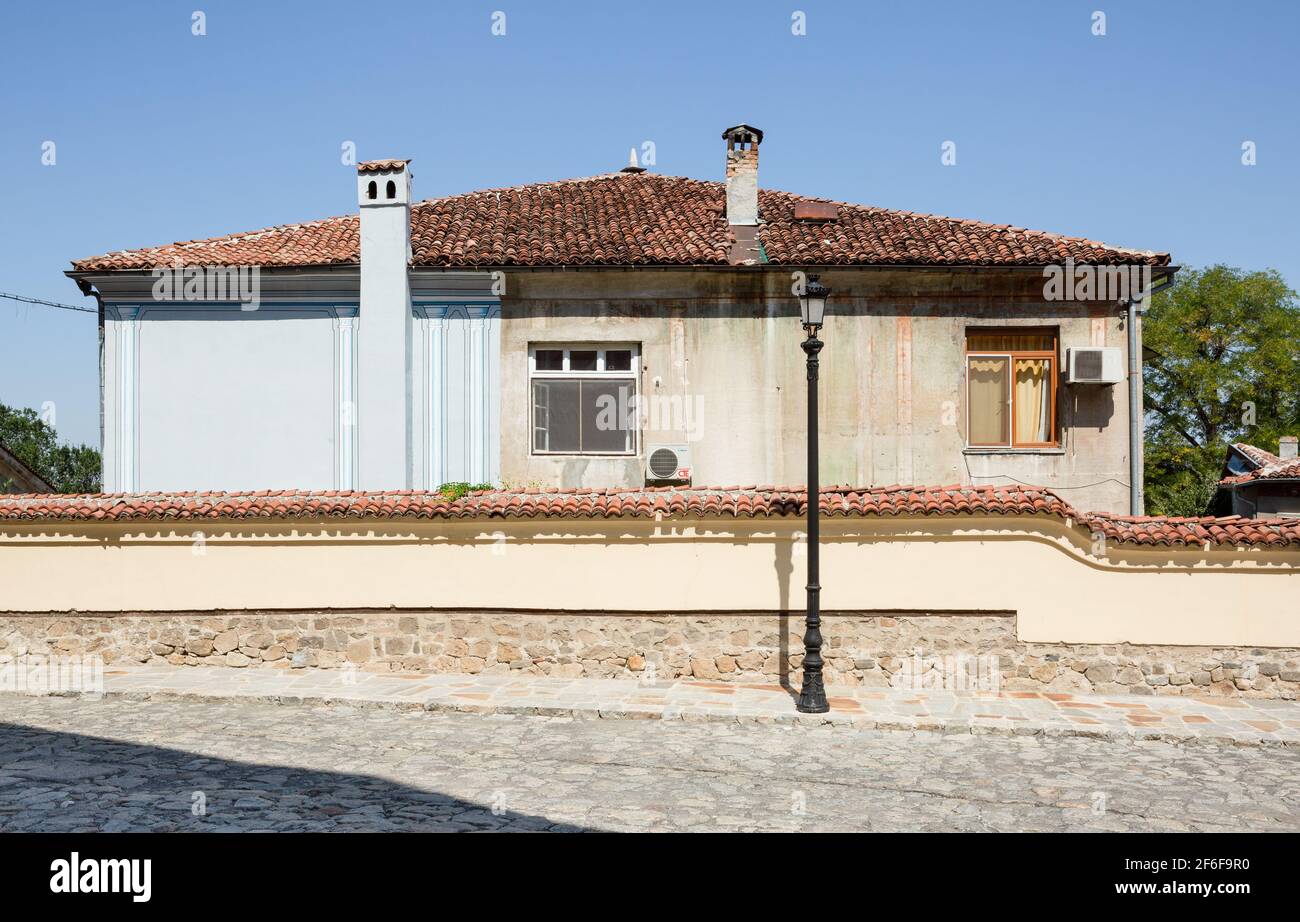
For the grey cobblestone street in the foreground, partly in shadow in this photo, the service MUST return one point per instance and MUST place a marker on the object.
(115, 765)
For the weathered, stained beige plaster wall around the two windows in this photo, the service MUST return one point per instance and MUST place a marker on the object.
(894, 405)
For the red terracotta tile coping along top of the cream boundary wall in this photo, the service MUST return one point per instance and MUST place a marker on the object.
(740, 503)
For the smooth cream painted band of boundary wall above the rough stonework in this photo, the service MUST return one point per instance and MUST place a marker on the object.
(1041, 569)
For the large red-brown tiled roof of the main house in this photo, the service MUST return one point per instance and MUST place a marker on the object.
(635, 219)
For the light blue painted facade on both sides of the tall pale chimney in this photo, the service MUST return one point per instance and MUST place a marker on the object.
(209, 397)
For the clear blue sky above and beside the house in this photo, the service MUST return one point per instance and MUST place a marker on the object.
(1133, 138)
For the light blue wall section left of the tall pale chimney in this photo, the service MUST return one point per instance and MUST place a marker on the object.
(215, 399)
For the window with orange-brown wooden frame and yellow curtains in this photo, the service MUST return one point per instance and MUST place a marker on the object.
(1011, 388)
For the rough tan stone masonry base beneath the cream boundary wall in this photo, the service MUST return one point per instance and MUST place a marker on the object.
(861, 650)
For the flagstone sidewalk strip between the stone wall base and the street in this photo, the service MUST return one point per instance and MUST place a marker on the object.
(1171, 718)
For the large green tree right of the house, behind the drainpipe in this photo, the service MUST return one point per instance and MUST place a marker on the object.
(1225, 367)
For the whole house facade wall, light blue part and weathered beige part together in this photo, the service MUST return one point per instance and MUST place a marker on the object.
(259, 400)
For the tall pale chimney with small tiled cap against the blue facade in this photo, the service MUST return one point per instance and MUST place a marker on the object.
(384, 336)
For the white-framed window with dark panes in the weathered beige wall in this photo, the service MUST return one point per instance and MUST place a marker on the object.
(584, 399)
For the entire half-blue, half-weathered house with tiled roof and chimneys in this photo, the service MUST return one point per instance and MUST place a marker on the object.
(613, 332)
